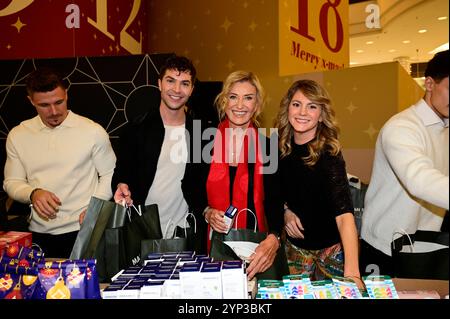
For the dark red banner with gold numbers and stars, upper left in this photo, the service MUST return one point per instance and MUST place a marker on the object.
(69, 28)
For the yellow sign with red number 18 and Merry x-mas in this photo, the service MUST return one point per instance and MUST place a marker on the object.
(313, 35)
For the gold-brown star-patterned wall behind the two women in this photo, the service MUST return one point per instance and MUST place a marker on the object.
(224, 36)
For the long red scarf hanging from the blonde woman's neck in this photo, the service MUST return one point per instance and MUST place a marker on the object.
(218, 183)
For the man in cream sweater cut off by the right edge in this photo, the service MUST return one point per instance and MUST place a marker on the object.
(409, 187)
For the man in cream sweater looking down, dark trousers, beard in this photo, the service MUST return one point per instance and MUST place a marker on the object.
(55, 162)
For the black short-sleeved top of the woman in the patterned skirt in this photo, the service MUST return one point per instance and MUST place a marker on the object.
(317, 195)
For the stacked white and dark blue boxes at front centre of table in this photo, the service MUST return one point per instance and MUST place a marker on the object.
(180, 275)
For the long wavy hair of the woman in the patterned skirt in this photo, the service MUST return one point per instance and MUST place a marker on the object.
(327, 131)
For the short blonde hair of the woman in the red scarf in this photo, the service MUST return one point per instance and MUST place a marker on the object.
(221, 100)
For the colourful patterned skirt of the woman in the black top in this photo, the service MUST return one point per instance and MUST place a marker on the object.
(317, 264)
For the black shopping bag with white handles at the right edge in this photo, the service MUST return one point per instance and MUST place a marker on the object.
(422, 255)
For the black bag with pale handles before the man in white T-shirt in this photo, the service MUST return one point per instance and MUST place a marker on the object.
(182, 239)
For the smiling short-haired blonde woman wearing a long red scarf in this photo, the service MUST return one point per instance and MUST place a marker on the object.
(235, 172)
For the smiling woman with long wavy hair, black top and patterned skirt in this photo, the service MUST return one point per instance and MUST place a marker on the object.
(322, 239)
